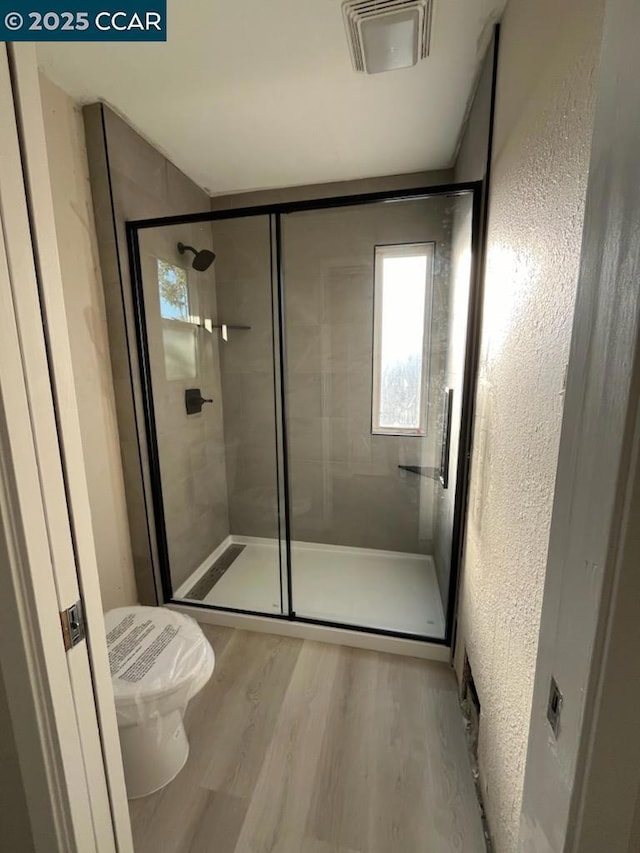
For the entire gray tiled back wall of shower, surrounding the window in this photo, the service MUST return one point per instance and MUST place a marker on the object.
(346, 487)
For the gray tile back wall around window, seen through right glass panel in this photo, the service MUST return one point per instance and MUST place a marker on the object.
(346, 486)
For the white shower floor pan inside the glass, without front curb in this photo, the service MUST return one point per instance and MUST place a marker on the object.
(383, 590)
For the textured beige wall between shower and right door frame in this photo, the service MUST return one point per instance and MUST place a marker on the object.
(544, 118)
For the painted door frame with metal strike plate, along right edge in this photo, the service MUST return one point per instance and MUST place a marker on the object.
(581, 789)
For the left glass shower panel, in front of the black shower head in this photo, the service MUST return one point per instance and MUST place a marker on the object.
(210, 368)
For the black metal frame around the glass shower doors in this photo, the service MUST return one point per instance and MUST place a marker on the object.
(275, 212)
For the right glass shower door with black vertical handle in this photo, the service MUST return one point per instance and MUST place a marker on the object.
(375, 300)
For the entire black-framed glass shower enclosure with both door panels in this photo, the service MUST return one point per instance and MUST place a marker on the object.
(305, 394)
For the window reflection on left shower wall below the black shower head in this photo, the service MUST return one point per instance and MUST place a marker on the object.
(179, 334)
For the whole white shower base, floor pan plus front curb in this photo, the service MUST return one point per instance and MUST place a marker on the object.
(375, 590)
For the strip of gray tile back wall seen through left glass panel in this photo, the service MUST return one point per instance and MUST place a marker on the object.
(243, 280)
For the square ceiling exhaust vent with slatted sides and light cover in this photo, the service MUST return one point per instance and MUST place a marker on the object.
(384, 35)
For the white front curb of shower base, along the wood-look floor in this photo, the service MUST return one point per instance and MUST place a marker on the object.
(319, 633)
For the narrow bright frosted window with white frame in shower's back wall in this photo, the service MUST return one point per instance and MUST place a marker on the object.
(400, 348)
